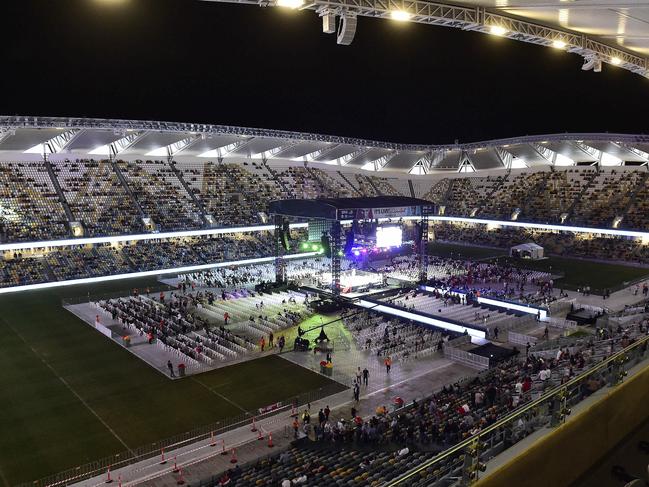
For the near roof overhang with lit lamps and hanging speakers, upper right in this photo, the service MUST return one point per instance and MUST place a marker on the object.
(615, 32)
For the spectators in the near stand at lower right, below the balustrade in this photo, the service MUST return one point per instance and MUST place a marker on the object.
(396, 438)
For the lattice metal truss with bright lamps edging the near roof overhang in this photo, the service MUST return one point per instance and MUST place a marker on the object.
(476, 19)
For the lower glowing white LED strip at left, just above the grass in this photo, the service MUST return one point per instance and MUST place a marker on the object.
(174, 270)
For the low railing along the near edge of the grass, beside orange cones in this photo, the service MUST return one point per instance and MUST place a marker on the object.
(151, 450)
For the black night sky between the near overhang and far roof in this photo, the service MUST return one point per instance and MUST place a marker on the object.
(194, 61)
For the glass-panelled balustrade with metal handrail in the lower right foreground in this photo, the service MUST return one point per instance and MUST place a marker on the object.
(465, 460)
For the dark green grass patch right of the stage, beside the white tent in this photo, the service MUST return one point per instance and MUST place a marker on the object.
(578, 273)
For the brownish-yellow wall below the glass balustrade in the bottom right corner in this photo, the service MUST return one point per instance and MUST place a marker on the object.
(563, 456)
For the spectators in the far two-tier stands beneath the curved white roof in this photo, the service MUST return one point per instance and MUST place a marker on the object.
(180, 196)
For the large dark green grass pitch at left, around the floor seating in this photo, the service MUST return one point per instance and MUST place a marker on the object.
(70, 396)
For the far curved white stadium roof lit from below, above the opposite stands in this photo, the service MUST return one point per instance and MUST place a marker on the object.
(23, 138)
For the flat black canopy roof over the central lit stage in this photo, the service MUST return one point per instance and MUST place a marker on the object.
(330, 208)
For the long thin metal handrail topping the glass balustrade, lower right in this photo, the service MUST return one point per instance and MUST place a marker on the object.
(516, 414)
